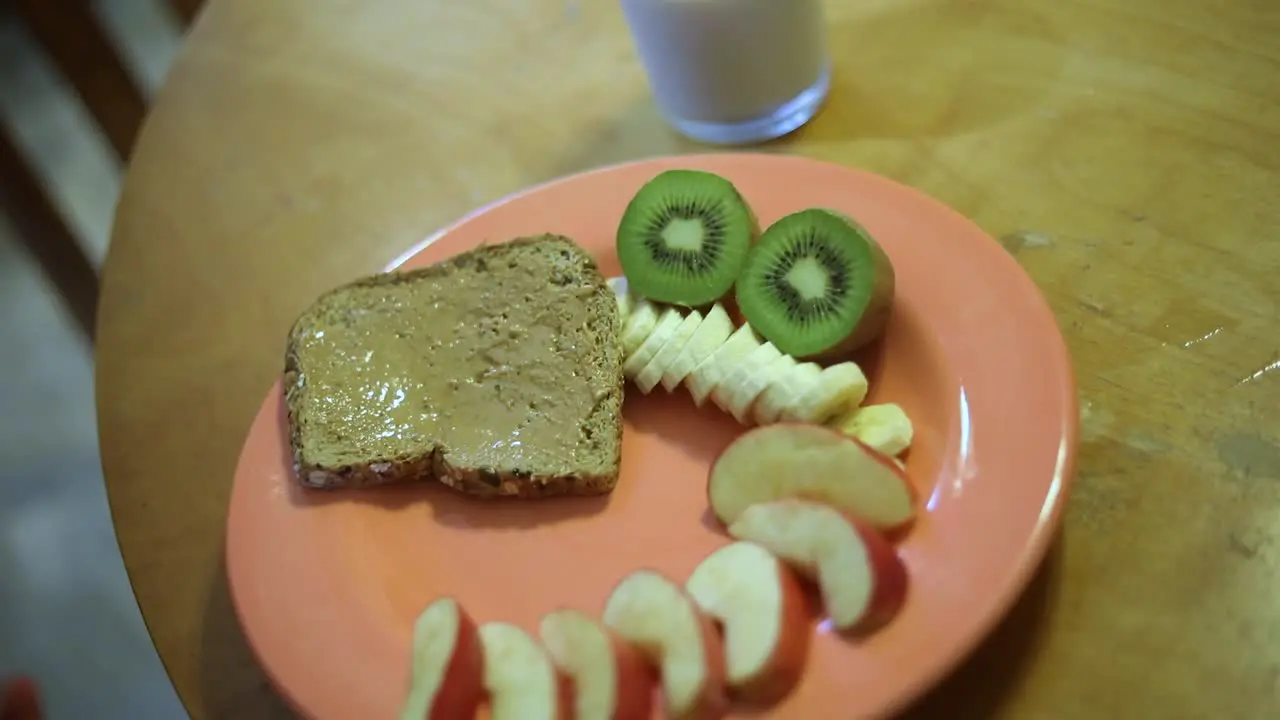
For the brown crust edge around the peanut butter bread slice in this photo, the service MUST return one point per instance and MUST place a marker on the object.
(432, 463)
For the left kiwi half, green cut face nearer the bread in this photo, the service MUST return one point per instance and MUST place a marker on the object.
(684, 238)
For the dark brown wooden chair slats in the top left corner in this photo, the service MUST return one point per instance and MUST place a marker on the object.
(72, 38)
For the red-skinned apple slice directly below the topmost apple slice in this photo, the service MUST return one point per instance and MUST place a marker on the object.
(862, 580)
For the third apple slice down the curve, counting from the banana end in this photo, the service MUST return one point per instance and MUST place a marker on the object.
(761, 609)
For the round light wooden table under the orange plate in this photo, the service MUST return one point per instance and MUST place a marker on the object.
(1128, 152)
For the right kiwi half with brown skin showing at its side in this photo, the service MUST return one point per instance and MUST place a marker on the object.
(817, 286)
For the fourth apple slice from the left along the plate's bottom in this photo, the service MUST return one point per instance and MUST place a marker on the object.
(665, 625)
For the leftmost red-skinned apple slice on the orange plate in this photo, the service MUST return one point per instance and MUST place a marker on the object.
(449, 664)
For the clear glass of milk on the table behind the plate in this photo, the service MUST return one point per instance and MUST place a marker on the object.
(733, 72)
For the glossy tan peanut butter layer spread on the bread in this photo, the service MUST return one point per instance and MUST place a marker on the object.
(490, 366)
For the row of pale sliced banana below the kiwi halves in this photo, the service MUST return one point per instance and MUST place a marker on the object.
(747, 376)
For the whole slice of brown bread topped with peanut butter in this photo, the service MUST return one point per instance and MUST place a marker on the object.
(497, 372)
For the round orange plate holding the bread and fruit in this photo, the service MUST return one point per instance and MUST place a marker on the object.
(327, 585)
